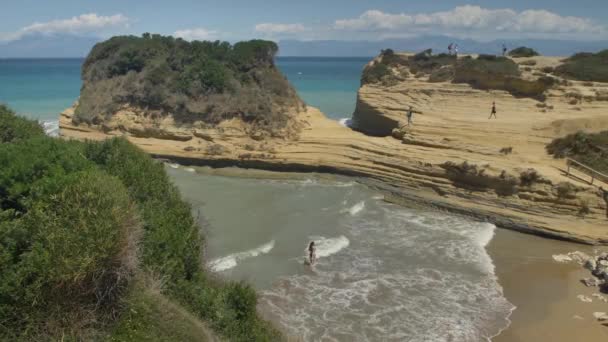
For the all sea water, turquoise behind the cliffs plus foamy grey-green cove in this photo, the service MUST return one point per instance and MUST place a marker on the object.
(385, 273)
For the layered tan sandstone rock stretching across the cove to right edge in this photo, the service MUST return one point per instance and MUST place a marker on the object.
(452, 158)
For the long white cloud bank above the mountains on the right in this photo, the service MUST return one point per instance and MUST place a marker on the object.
(474, 21)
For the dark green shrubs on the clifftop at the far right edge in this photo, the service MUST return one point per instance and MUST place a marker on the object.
(585, 67)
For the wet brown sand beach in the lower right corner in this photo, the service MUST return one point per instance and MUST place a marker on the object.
(545, 291)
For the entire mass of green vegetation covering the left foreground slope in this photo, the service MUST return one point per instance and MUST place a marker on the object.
(79, 222)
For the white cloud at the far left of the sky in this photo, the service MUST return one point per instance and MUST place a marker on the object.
(85, 23)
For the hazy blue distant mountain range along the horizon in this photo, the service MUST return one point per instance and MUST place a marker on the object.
(63, 46)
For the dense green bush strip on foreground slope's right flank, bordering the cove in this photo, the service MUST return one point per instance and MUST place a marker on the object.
(172, 240)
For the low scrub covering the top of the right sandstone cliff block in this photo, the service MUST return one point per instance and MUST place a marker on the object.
(483, 72)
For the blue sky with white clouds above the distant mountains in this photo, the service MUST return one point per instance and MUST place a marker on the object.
(235, 20)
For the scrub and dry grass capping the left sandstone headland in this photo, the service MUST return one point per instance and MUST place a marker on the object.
(206, 81)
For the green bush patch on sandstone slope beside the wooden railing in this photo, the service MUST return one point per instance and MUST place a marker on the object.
(590, 149)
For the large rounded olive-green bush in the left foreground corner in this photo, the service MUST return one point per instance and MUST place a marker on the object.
(69, 257)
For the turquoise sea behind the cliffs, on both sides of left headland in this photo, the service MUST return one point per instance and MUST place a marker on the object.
(42, 88)
